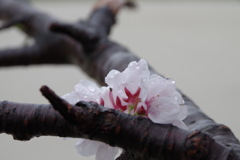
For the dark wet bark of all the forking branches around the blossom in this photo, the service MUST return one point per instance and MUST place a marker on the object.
(86, 44)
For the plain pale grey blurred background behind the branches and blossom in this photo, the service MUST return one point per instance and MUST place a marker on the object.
(197, 43)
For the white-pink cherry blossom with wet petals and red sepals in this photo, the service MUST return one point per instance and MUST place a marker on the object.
(134, 91)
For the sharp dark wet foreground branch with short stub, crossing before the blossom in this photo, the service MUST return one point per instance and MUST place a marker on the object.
(143, 138)
